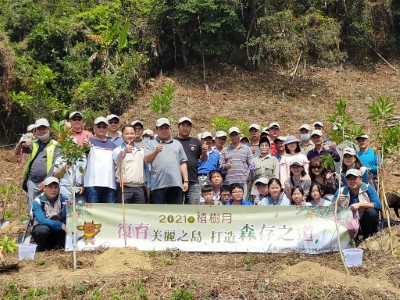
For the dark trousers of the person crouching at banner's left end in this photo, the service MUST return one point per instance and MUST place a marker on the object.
(47, 238)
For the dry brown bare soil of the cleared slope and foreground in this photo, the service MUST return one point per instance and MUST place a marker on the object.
(253, 96)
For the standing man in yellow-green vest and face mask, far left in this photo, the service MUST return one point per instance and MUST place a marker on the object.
(40, 163)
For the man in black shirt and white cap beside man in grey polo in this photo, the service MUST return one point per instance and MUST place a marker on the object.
(193, 150)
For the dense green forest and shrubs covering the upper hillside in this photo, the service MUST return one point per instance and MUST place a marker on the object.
(57, 56)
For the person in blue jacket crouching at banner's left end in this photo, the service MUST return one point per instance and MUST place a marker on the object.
(49, 213)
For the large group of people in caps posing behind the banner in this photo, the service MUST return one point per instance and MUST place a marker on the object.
(137, 166)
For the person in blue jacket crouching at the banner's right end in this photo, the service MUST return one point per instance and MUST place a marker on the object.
(363, 198)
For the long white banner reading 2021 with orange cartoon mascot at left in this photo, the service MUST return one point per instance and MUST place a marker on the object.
(271, 229)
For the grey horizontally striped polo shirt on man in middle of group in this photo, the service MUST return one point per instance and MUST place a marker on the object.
(240, 159)
